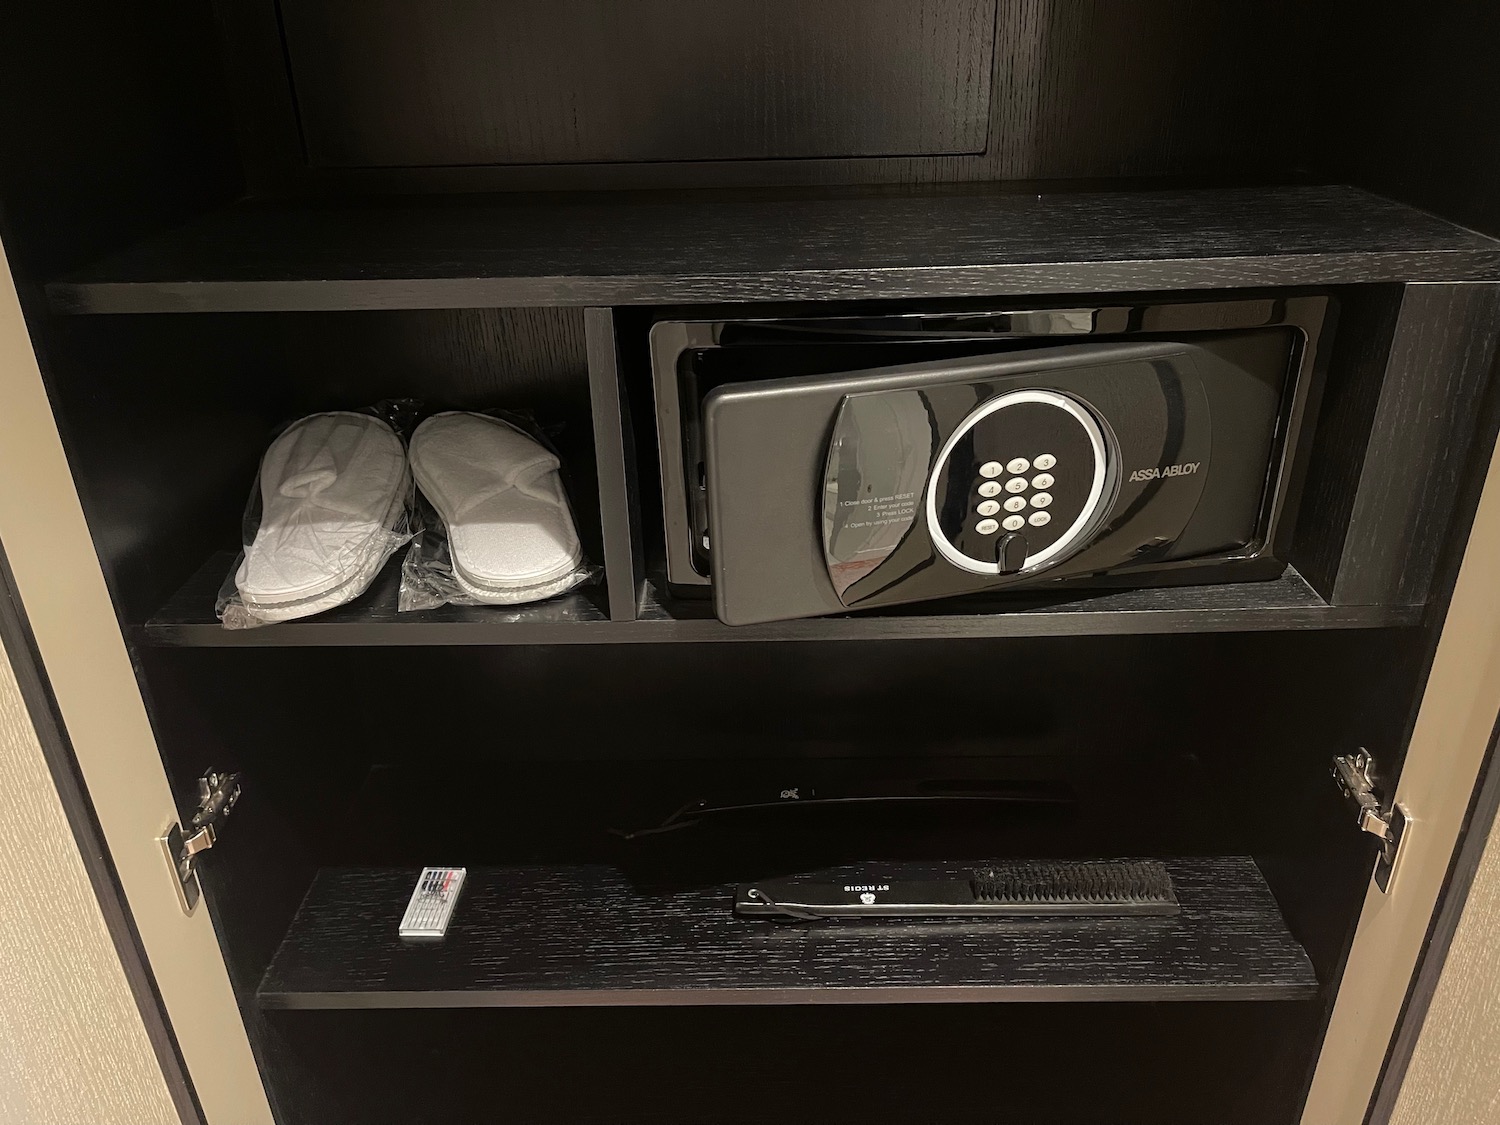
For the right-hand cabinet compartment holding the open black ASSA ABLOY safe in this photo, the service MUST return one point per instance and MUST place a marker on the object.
(1295, 449)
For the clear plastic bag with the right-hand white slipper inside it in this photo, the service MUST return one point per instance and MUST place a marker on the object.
(491, 493)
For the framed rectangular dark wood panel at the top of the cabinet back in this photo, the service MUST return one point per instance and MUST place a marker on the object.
(424, 83)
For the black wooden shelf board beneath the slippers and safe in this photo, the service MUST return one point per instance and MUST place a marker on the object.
(580, 619)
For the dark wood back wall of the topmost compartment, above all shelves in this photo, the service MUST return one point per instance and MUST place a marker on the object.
(1076, 89)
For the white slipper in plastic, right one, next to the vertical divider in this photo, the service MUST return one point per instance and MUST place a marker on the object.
(499, 493)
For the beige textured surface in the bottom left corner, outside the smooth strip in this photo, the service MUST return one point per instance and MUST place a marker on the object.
(76, 1049)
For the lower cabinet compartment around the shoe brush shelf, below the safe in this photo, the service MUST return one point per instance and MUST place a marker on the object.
(532, 764)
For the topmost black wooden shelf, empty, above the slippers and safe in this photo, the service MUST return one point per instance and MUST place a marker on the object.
(475, 253)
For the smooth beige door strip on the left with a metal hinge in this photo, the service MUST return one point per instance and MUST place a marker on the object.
(62, 592)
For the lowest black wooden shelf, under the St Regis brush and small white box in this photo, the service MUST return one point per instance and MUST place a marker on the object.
(536, 937)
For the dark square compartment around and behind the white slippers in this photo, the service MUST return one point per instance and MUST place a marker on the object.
(173, 416)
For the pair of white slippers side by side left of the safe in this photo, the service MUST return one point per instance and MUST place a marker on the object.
(335, 494)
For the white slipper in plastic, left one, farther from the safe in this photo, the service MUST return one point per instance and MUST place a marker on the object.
(334, 491)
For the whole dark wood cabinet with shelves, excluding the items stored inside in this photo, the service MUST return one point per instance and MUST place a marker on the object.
(226, 217)
